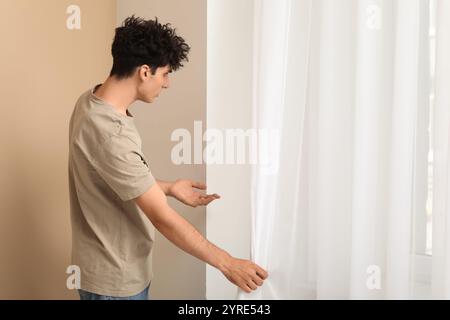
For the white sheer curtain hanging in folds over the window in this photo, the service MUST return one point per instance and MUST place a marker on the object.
(346, 84)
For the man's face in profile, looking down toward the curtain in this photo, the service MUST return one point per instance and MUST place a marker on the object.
(151, 85)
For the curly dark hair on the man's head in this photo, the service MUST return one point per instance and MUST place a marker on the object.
(138, 42)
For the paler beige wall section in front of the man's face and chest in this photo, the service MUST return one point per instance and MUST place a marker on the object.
(177, 275)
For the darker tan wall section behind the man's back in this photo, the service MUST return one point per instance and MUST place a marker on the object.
(44, 68)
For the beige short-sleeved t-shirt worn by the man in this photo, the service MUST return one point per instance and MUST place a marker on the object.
(112, 239)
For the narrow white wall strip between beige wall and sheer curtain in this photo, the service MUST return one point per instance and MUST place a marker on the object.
(229, 78)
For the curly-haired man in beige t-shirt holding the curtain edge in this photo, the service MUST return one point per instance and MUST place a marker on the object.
(113, 195)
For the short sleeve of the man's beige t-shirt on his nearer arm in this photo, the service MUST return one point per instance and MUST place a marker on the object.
(121, 163)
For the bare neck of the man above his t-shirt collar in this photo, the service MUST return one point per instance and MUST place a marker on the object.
(118, 93)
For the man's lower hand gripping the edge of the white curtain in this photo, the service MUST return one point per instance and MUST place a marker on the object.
(243, 273)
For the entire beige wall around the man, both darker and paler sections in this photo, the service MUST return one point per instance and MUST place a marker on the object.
(45, 67)
